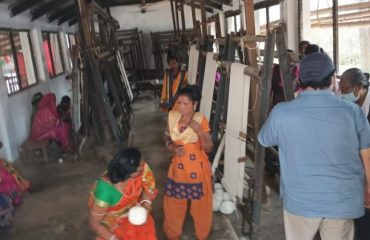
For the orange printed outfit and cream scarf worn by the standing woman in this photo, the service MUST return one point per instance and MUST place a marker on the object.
(189, 179)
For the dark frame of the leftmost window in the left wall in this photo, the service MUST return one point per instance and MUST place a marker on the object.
(14, 55)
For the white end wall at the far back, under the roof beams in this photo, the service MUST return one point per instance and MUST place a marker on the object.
(154, 21)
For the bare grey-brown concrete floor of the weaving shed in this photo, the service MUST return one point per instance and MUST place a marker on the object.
(56, 208)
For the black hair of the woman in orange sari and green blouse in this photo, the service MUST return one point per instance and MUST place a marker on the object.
(123, 164)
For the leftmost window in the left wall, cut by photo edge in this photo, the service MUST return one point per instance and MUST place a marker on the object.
(16, 59)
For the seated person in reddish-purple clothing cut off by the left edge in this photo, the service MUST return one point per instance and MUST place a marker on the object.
(12, 186)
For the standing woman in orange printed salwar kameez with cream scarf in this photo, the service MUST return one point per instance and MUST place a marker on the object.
(189, 175)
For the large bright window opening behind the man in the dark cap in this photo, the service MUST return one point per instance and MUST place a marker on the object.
(353, 32)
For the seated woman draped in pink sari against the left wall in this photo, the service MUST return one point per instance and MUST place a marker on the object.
(46, 123)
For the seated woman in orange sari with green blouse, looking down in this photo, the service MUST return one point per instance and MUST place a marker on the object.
(128, 182)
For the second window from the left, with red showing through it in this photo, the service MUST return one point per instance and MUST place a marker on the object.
(53, 55)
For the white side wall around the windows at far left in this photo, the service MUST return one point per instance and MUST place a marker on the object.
(15, 110)
